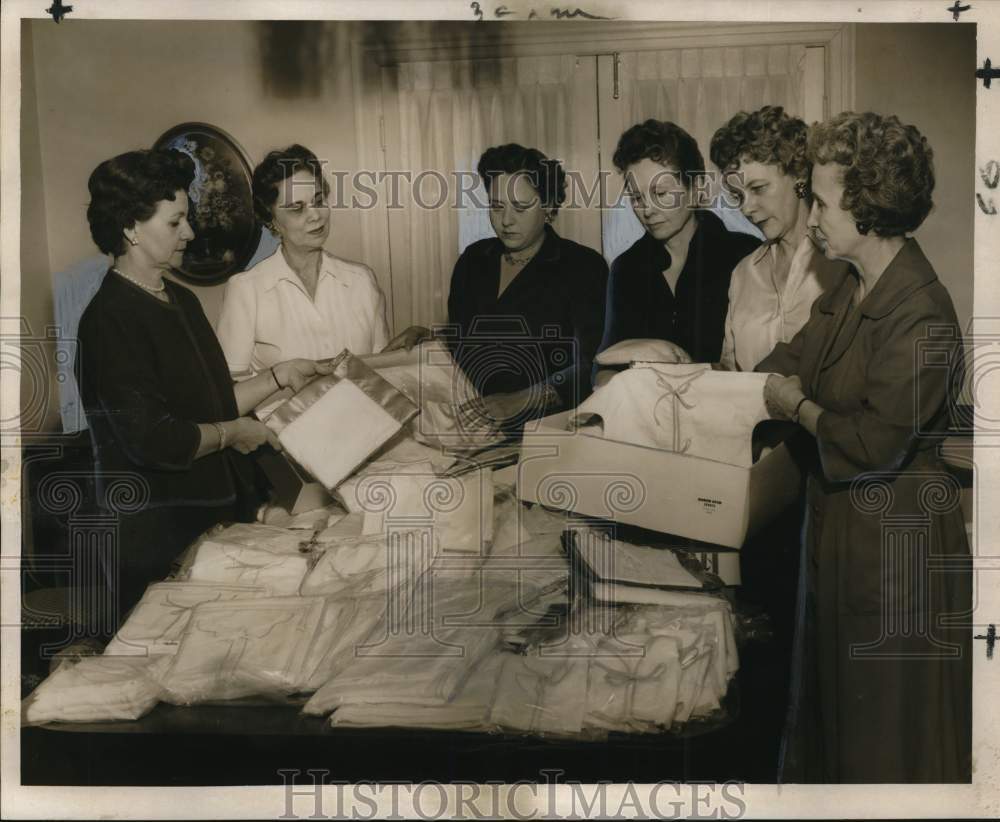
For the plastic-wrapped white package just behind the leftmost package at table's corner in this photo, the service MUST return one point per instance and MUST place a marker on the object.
(157, 623)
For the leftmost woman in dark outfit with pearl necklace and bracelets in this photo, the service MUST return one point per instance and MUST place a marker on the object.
(166, 422)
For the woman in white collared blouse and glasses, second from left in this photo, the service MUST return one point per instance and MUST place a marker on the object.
(302, 301)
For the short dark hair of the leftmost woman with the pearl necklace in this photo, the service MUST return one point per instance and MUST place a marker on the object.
(126, 189)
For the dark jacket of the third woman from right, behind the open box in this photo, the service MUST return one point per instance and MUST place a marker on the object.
(640, 304)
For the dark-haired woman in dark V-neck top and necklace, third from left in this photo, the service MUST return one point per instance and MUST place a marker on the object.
(526, 307)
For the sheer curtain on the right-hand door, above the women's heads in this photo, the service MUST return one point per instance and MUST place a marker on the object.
(700, 89)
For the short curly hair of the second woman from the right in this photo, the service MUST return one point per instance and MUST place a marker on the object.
(767, 135)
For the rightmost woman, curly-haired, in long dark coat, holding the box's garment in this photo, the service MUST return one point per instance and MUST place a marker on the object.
(883, 685)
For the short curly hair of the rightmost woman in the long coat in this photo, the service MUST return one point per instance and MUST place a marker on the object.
(888, 169)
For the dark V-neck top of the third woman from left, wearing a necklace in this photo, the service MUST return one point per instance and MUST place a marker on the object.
(543, 329)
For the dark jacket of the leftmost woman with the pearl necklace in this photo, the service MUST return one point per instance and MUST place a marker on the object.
(149, 372)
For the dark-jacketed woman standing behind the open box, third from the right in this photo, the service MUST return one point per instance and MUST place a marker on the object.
(672, 285)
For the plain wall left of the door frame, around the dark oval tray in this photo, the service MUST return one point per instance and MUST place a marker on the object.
(105, 87)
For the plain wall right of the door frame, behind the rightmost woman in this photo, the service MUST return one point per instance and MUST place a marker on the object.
(925, 75)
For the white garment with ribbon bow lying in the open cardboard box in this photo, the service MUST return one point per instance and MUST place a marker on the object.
(688, 409)
